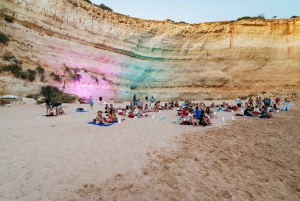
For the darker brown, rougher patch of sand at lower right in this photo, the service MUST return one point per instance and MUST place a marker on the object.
(252, 159)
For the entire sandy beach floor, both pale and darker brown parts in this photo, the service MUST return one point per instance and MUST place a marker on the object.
(64, 158)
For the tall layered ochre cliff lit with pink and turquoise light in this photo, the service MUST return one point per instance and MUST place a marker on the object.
(117, 55)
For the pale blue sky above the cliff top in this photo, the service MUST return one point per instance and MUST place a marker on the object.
(195, 11)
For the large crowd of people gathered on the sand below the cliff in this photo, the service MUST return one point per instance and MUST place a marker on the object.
(195, 114)
